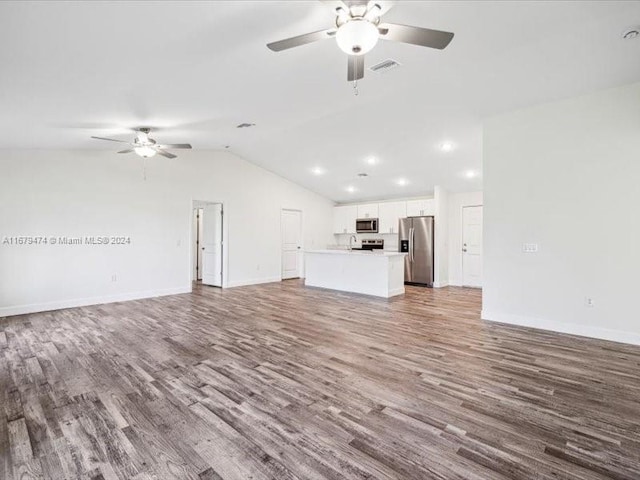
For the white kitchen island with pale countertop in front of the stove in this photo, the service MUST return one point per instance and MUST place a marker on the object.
(375, 273)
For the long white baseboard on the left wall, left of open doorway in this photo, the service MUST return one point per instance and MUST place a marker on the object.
(83, 302)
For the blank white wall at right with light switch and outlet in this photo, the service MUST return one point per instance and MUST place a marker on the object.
(566, 176)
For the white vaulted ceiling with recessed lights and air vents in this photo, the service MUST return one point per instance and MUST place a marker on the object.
(197, 69)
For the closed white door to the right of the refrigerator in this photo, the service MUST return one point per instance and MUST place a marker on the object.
(472, 246)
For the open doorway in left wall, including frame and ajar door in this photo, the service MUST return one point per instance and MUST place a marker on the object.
(207, 246)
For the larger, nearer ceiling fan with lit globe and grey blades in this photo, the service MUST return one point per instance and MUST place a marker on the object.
(358, 28)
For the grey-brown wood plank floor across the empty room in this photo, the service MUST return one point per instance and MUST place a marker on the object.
(284, 382)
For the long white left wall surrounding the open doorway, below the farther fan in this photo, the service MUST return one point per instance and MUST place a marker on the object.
(79, 193)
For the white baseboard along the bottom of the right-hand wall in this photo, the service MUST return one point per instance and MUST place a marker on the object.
(562, 327)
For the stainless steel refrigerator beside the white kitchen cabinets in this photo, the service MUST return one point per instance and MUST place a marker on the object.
(415, 237)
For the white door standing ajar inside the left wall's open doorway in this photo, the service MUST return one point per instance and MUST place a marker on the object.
(212, 245)
